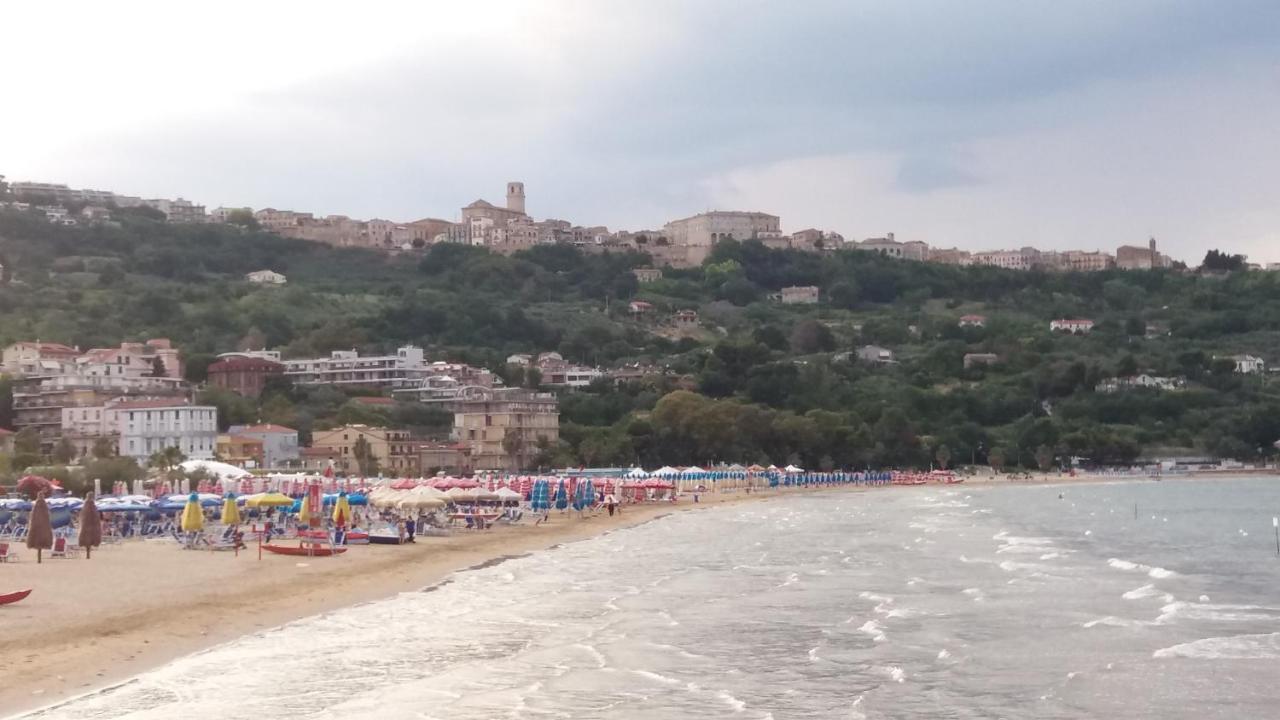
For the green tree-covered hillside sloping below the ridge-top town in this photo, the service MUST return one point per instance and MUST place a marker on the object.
(897, 364)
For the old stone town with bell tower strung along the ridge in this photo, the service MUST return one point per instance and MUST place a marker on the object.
(508, 229)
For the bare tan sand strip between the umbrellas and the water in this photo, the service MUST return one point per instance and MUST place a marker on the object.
(97, 625)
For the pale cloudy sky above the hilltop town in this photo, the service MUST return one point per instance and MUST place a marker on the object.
(980, 125)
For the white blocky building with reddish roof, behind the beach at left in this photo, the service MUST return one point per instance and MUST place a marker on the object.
(148, 426)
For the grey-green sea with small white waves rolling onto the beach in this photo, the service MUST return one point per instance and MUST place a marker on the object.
(1112, 600)
